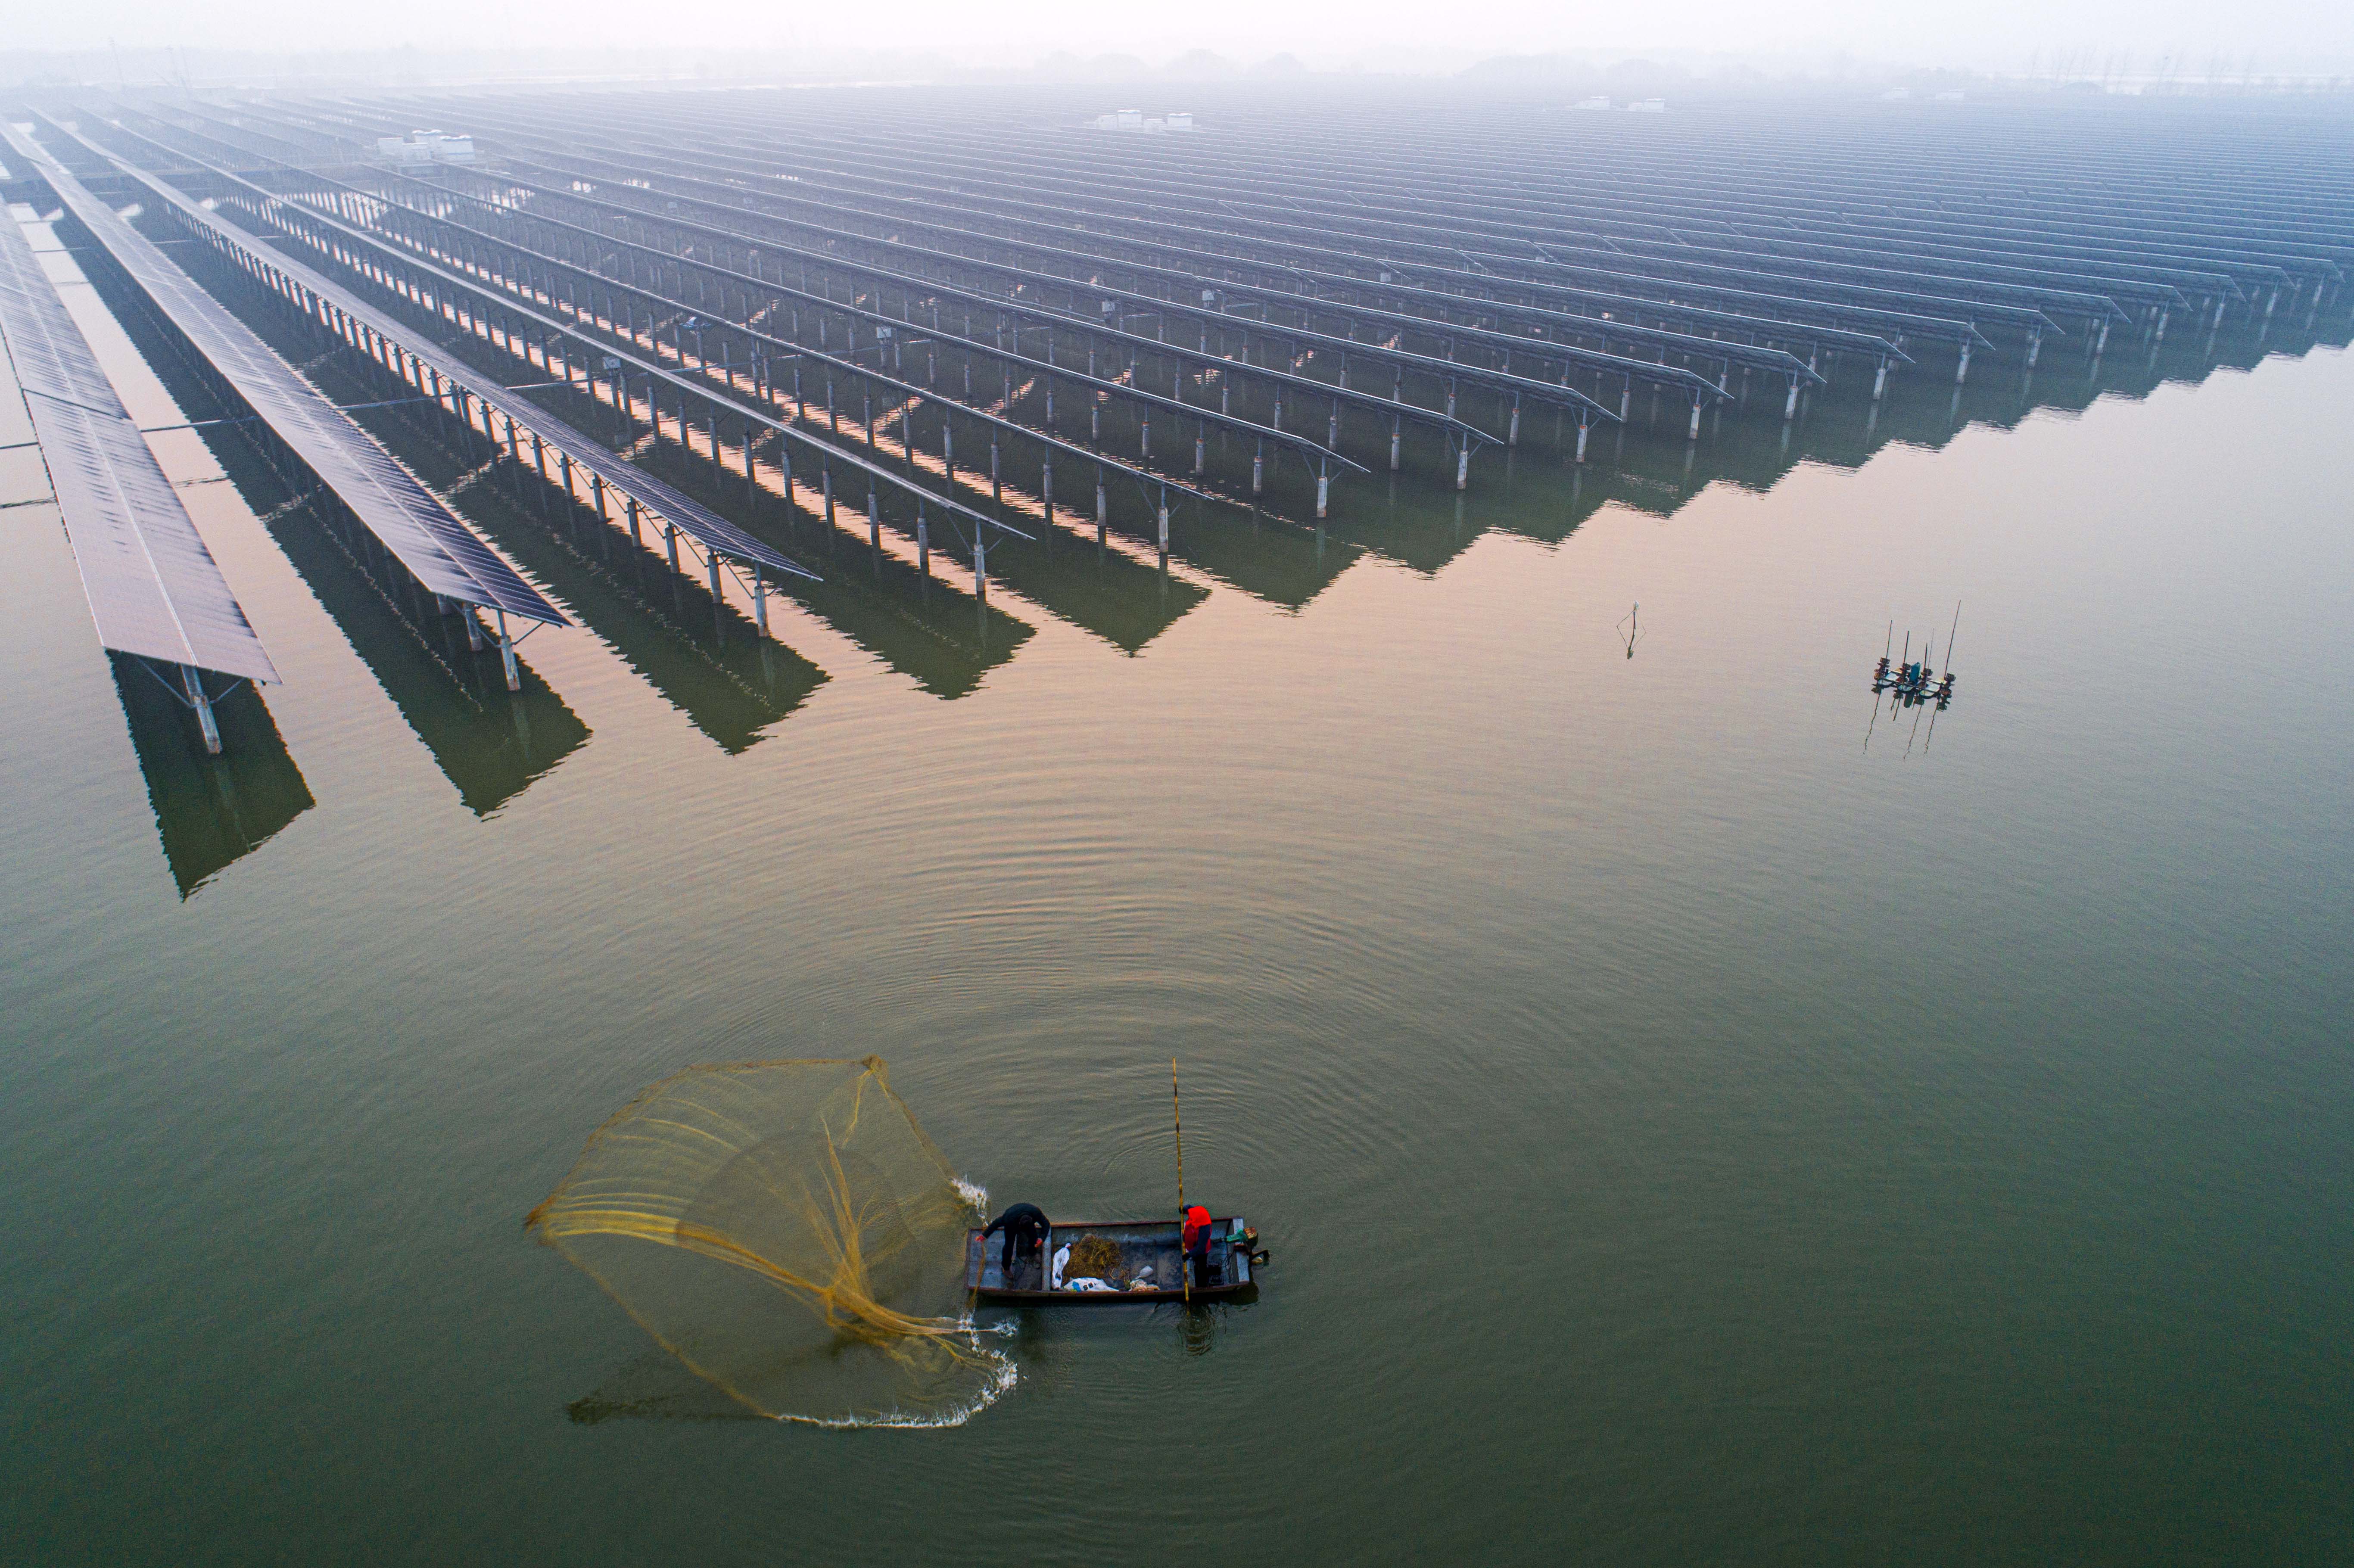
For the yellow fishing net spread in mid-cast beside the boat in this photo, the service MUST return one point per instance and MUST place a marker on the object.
(787, 1233)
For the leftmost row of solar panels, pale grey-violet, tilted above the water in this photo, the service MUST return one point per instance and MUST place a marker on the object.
(154, 587)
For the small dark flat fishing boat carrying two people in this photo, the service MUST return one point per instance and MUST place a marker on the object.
(1150, 1265)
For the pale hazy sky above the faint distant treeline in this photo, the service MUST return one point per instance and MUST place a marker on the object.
(2004, 34)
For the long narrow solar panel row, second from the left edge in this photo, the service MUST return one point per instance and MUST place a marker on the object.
(387, 498)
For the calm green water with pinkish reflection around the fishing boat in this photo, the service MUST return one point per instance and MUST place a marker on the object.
(1694, 1117)
